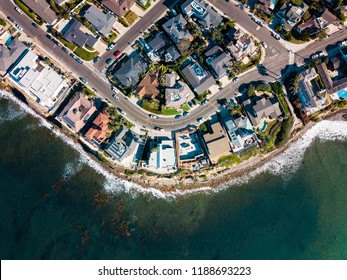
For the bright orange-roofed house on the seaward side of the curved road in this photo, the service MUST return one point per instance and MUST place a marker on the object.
(99, 131)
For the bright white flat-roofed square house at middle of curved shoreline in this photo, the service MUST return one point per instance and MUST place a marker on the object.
(162, 155)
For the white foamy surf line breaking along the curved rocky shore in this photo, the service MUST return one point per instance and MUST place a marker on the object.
(284, 165)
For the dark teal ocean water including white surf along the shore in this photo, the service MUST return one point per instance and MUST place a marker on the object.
(56, 203)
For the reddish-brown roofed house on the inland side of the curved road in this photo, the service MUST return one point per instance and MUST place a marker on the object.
(149, 86)
